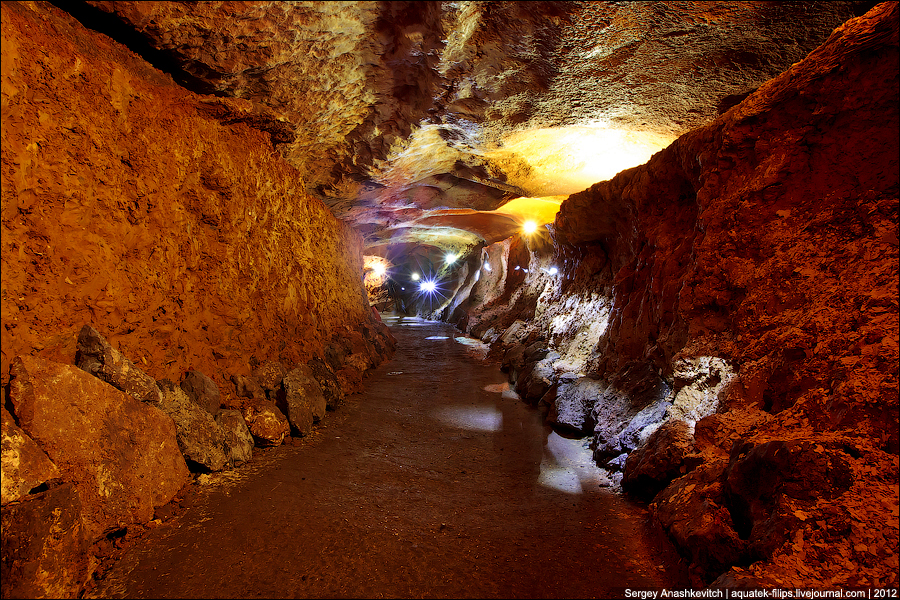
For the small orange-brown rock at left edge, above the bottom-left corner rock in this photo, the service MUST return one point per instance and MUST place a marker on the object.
(24, 465)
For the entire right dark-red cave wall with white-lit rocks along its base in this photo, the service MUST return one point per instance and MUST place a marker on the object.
(724, 322)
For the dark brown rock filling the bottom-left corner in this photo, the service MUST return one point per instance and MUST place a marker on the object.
(45, 553)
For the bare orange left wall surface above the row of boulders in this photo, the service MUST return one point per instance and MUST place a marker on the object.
(178, 233)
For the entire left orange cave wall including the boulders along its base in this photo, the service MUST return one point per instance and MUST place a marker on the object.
(150, 235)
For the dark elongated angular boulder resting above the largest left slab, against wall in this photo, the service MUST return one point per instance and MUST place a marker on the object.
(96, 356)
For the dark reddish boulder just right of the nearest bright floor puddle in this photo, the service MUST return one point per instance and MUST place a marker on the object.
(659, 460)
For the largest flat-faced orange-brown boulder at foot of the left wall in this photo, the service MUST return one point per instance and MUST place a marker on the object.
(121, 454)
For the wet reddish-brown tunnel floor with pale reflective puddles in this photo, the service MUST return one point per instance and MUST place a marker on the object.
(432, 483)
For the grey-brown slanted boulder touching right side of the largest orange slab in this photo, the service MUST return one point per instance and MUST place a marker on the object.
(201, 440)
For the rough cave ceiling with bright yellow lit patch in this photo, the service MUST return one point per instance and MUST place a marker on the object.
(447, 124)
